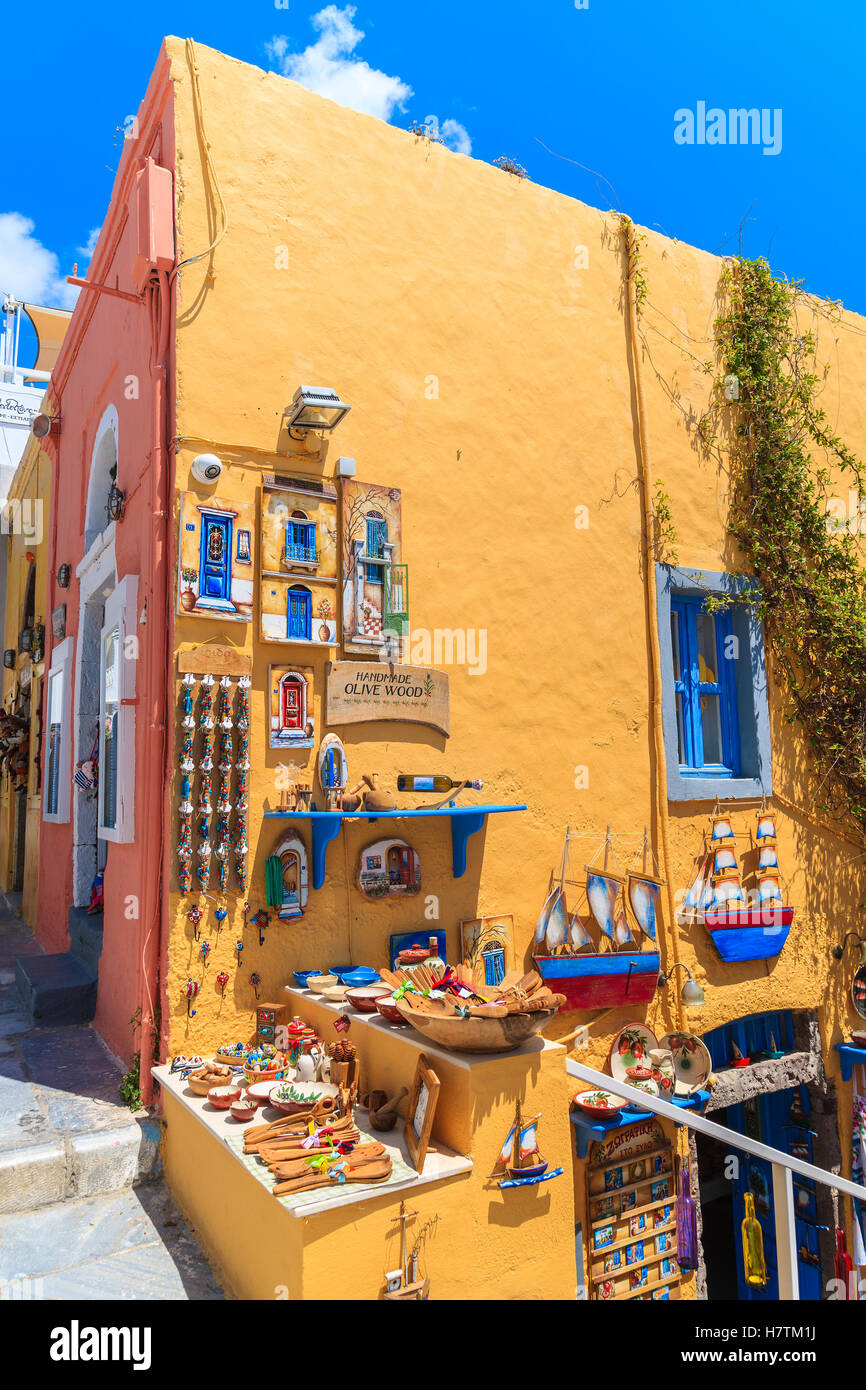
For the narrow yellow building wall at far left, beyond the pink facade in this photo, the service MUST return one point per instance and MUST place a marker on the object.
(28, 511)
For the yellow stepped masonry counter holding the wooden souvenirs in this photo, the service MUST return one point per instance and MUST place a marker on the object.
(337, 1245)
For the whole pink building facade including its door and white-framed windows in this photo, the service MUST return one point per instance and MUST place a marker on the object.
(111, 633)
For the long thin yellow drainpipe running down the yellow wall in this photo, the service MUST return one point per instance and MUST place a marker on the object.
(653, 612)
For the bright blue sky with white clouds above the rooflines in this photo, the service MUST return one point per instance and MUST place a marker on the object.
(600, 85)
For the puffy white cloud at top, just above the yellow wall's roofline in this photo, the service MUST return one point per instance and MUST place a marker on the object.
(330, 67)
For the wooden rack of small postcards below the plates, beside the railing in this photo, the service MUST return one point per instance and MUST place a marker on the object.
(632, 1216)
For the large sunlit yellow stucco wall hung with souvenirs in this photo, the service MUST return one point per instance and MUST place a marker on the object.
(476, 325)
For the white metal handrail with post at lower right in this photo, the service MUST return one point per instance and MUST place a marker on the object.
(785, 1167)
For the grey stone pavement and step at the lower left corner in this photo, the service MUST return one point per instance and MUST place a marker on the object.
(73, 1225)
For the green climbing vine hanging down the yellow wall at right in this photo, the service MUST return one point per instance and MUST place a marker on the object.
(785, 459)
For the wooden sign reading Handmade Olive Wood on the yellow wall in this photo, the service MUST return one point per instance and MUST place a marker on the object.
(359, 693)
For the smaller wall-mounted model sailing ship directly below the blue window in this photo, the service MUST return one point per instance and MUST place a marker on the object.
(746, 925)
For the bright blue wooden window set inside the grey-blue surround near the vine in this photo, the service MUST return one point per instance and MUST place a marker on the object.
(708, 730)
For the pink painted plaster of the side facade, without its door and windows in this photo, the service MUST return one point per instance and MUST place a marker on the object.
(108, 361)
